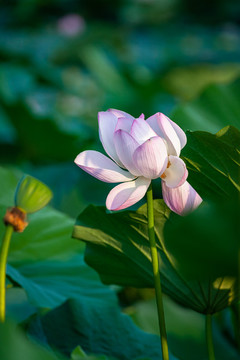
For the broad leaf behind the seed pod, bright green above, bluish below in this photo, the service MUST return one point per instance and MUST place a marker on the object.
(45, 260)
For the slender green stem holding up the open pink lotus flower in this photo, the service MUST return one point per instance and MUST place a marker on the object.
(156, 274)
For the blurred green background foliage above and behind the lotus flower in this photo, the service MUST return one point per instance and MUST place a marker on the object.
(62, 61)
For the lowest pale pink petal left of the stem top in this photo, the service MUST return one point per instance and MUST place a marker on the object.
(127, 194)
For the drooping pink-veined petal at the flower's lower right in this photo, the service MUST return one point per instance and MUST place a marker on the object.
(182, 199)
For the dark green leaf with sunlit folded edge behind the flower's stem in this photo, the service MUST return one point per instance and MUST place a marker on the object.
(118, 248)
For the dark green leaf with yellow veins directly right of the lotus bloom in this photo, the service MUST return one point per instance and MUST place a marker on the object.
(213, 163)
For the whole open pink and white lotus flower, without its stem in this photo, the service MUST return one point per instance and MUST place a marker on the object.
(140, 150)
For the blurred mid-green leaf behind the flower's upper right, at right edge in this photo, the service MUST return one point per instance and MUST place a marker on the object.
(218, 106)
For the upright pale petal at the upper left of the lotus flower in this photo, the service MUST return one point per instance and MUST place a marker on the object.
(107, 122)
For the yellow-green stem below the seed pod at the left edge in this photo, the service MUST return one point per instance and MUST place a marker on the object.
(3, 263)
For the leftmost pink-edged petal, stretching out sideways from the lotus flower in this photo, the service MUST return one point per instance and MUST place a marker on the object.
(101, 167)
